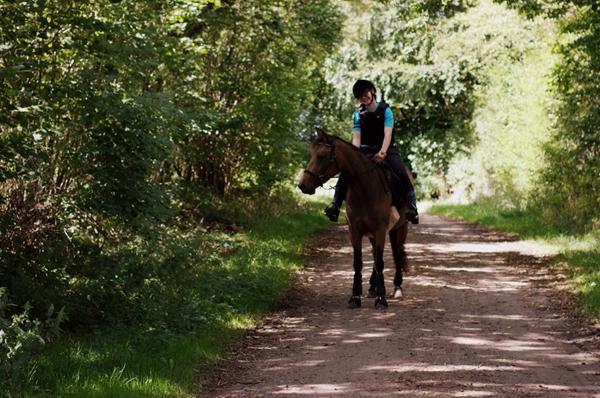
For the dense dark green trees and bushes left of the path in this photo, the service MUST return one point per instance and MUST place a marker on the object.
(130, 129)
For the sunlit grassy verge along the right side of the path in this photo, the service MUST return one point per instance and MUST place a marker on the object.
(579, 253)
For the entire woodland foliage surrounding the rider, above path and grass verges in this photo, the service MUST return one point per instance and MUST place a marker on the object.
(130, 128)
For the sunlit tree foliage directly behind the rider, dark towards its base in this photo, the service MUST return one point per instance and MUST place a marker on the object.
(430, 93)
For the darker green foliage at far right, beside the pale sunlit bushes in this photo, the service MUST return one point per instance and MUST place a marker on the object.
(569, 188)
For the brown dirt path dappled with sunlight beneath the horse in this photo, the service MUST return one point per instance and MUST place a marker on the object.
(473, 324)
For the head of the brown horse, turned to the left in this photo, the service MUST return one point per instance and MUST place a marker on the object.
(322, 164)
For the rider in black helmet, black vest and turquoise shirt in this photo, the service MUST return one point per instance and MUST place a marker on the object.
(373, 133)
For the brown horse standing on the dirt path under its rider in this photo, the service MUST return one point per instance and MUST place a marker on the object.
(369, 209)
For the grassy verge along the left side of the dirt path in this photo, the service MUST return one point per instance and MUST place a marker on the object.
(240, 276)
